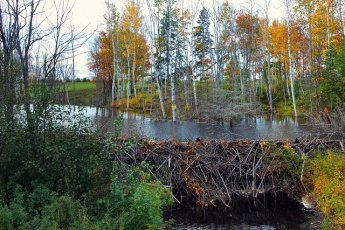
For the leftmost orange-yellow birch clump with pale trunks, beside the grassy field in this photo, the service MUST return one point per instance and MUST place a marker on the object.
(123, 49)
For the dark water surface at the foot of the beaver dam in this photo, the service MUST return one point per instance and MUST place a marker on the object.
(193, 219)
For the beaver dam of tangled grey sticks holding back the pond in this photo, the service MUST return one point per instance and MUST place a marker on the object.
(220, 173)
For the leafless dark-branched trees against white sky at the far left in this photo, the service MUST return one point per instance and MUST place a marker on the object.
(25, 26)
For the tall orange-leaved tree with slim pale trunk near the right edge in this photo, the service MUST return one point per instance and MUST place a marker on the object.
(322, 31)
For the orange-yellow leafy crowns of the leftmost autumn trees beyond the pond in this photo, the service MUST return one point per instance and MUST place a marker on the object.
(130, 47)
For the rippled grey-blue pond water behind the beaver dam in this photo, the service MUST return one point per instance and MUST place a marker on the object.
(247, 128)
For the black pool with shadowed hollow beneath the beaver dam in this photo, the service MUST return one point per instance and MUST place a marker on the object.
(282, 214)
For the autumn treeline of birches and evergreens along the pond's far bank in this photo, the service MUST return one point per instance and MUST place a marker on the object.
(221, 58)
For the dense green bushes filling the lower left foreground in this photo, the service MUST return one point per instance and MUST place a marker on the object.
(56, 173)
